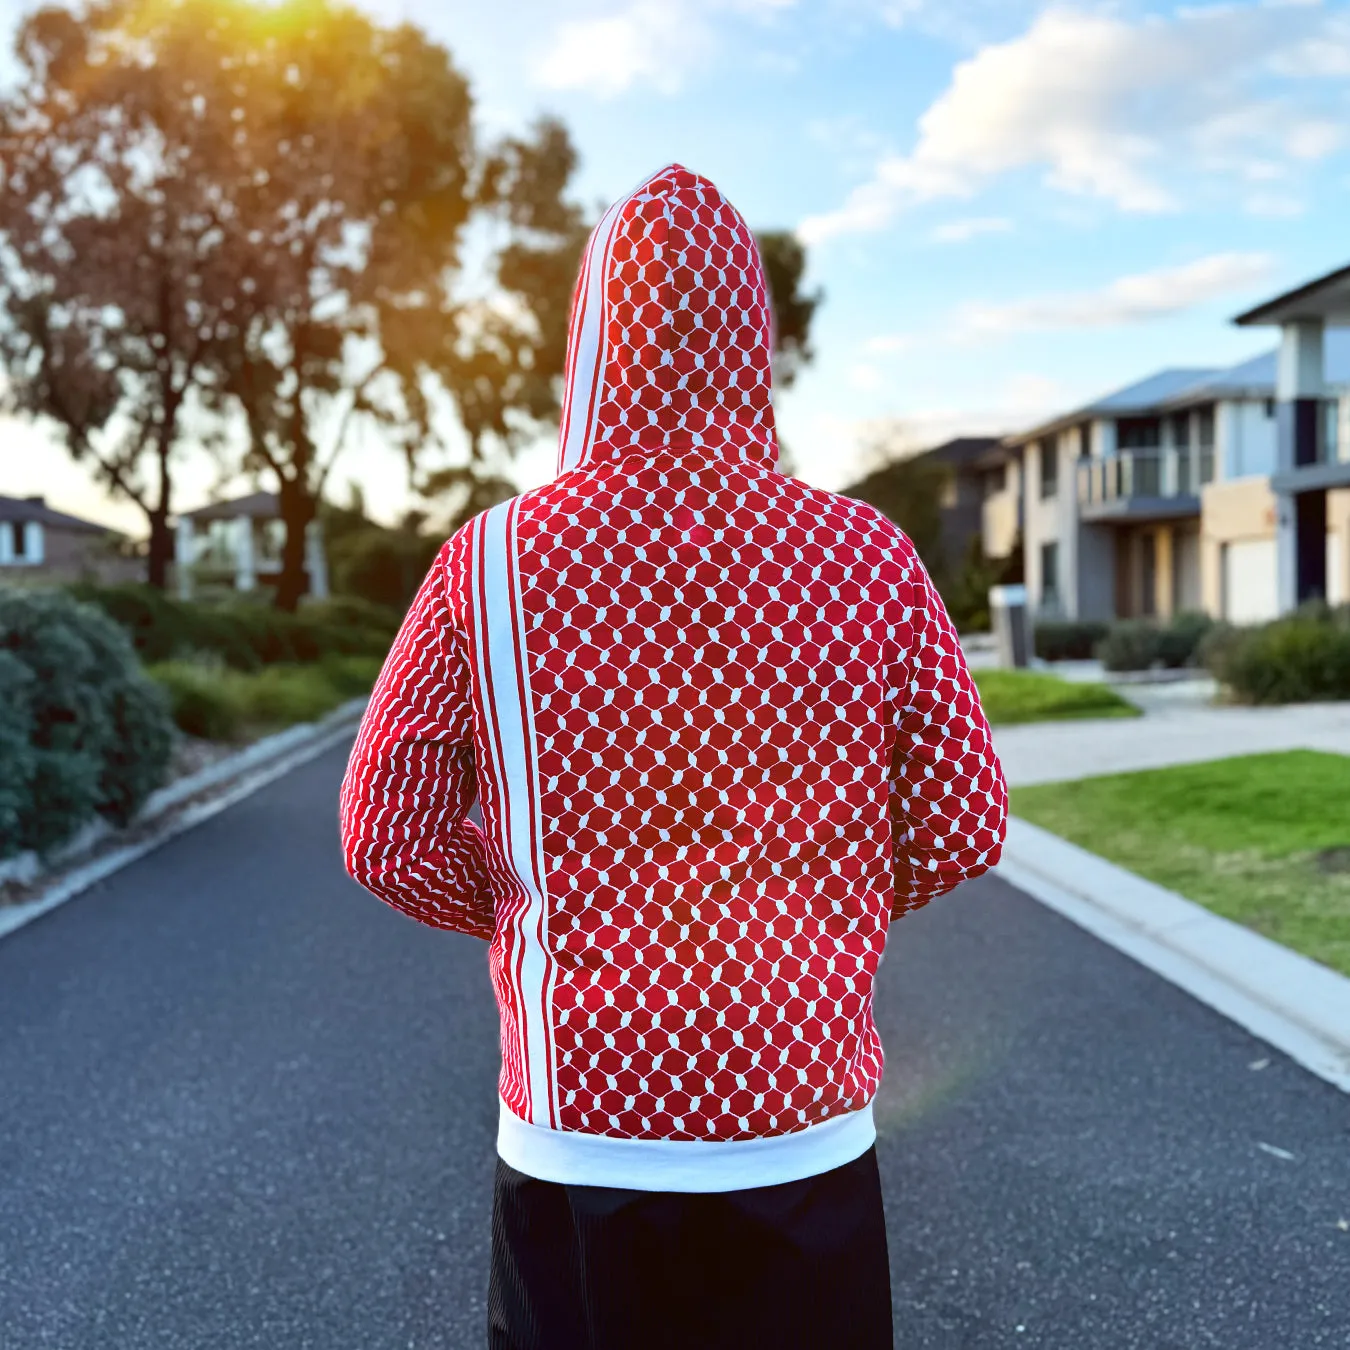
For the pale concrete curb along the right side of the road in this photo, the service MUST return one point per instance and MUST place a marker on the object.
(1297, 1005)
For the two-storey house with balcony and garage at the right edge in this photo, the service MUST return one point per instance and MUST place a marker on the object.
(1216, 489)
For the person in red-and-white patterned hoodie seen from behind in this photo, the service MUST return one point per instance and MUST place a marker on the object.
(723, 735)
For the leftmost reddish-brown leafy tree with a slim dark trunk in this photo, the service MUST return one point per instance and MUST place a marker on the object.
(115, 280)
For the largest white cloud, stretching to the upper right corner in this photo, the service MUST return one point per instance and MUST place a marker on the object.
(1117, 110)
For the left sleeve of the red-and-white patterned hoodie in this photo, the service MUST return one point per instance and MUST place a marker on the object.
(411, 778)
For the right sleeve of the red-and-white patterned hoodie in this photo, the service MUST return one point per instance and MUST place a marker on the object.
(948, 797)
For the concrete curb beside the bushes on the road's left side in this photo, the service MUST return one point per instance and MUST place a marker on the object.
(172, 811)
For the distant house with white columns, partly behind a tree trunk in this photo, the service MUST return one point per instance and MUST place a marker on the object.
(238, 545)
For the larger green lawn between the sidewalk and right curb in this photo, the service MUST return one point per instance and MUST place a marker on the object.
(1263, 839)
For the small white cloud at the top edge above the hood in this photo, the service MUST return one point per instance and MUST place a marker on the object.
(654, 43)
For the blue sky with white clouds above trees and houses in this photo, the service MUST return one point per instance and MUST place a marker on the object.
(1010, 207)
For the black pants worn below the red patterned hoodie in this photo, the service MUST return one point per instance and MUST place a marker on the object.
(794, 1267)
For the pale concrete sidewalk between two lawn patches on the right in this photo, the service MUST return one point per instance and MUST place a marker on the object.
(1172, 732)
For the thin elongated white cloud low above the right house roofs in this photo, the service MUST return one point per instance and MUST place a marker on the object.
(1129, 300)
